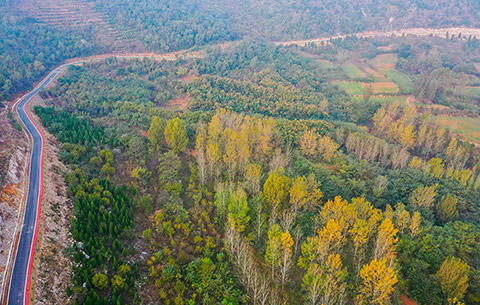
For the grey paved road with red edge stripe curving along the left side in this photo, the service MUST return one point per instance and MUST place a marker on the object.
(19, 292)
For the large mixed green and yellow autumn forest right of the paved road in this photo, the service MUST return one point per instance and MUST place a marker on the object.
(246, 197)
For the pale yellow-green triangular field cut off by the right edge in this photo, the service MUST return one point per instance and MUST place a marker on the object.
(467, 128)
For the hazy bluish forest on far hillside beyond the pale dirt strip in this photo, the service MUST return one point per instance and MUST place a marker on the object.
(203, 22)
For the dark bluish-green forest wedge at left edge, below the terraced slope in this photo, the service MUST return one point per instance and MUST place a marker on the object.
(28, 50)
